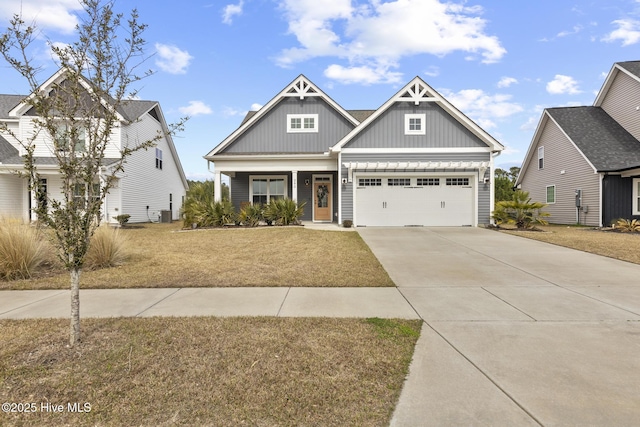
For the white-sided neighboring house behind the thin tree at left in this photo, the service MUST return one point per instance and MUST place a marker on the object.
(153, 180)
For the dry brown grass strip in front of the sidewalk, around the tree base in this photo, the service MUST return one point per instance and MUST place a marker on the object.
(206, 371)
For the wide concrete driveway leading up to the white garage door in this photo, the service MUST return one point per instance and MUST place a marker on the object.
(517, 332)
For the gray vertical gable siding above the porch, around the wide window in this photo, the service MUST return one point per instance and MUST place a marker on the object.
(269, 134)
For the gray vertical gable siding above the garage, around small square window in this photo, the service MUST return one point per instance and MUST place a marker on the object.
(442, 130)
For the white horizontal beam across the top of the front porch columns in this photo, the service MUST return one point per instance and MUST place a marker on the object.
(276, 165)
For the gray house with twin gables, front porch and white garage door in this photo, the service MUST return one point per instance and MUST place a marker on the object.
(416, 160)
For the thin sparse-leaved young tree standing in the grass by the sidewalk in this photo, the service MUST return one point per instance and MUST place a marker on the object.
(79, 112)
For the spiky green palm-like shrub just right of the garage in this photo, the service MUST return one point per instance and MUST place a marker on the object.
(521, 211)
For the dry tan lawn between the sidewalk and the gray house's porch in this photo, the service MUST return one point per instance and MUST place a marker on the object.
(164, 256)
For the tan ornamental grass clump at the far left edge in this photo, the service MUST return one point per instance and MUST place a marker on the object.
(21, 249)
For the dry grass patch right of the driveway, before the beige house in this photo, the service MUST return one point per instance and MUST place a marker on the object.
(622, 246)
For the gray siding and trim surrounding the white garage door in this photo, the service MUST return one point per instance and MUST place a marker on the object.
(483, 190)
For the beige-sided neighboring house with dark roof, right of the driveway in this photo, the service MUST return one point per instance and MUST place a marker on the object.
(584, 162)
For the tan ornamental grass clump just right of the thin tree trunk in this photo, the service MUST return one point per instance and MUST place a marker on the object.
(107, 248)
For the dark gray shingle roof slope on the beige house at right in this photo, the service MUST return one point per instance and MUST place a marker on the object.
(607, 145)
